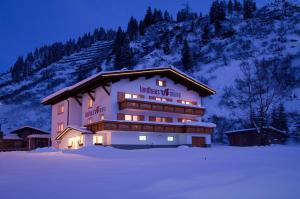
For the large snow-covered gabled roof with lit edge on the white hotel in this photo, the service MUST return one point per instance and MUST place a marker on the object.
(108, 75)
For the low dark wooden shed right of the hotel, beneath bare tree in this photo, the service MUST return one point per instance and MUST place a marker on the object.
(251, 137)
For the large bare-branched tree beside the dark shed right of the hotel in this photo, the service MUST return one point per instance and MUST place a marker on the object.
(260, 86)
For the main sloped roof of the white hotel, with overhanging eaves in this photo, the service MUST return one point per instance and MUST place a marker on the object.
(104, 78)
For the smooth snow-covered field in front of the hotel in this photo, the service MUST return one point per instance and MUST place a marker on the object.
(217, 172)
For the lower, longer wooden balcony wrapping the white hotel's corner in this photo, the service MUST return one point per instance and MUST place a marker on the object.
(147, 127)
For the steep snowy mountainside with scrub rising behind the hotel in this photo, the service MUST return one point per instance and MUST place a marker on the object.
(273, 32)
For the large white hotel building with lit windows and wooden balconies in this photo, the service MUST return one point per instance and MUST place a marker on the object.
(157, 107)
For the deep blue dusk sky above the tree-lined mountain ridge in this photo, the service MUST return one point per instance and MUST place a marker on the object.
(28, 24)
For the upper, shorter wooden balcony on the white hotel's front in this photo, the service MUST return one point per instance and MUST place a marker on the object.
(160, 106)
